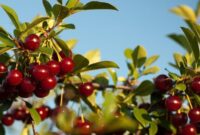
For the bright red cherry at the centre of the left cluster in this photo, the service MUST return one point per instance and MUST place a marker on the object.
(40, 72)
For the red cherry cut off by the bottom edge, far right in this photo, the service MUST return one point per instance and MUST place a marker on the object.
(189, 129)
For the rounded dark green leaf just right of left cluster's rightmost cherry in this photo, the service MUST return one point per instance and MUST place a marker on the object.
(80, 62)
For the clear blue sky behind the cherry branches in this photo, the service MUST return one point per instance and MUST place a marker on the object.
(138, 22)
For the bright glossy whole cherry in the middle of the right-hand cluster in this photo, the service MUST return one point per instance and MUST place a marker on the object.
(173, 103)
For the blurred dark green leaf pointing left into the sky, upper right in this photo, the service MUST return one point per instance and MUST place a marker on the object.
(181, 40)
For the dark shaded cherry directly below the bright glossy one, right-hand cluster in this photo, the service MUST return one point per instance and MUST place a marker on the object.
(179, 119)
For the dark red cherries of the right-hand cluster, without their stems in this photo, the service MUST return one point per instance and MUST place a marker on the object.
(173, 103)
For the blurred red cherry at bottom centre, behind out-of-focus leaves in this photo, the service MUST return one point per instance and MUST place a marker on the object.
(83, 126)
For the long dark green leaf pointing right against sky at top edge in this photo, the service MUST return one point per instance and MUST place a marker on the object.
(98, 5)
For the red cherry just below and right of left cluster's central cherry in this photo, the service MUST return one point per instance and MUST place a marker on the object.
(48, 83)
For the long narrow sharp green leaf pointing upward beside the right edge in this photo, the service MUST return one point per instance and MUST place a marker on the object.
(193, 42)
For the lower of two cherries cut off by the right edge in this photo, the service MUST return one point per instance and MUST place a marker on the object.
(194, 115)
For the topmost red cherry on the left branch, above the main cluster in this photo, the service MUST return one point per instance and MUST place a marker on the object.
(32, 42)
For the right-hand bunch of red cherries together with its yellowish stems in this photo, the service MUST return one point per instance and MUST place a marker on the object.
(185, 120)
